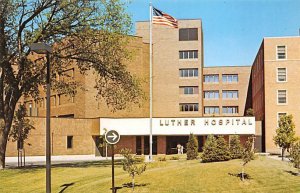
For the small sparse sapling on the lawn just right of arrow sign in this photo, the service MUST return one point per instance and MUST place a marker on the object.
(131, 166)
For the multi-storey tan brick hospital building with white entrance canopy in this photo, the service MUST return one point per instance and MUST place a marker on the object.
(187, 98)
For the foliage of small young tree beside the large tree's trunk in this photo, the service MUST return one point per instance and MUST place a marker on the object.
(21, 126)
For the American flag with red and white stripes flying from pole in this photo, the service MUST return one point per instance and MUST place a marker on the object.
(162, 18)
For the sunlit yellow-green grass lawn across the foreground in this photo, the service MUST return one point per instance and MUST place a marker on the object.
(171, 176)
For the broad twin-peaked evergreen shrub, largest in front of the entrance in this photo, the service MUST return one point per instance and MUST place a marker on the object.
(215, 150)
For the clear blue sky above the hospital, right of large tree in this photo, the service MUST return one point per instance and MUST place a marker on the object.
(233, 29)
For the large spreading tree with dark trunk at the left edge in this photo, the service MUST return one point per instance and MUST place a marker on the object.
(88, 34)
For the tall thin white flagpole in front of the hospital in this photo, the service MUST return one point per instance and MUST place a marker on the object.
(150, 26)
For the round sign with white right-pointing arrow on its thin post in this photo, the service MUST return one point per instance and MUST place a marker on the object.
(112, 137)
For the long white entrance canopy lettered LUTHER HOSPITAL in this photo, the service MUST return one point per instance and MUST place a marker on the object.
(180, 126)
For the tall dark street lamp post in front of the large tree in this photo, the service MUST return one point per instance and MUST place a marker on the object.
(42, 48)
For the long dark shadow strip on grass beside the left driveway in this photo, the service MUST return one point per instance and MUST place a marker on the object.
(75, 164)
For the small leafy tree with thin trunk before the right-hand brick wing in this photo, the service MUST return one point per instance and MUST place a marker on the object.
(285, 133)
